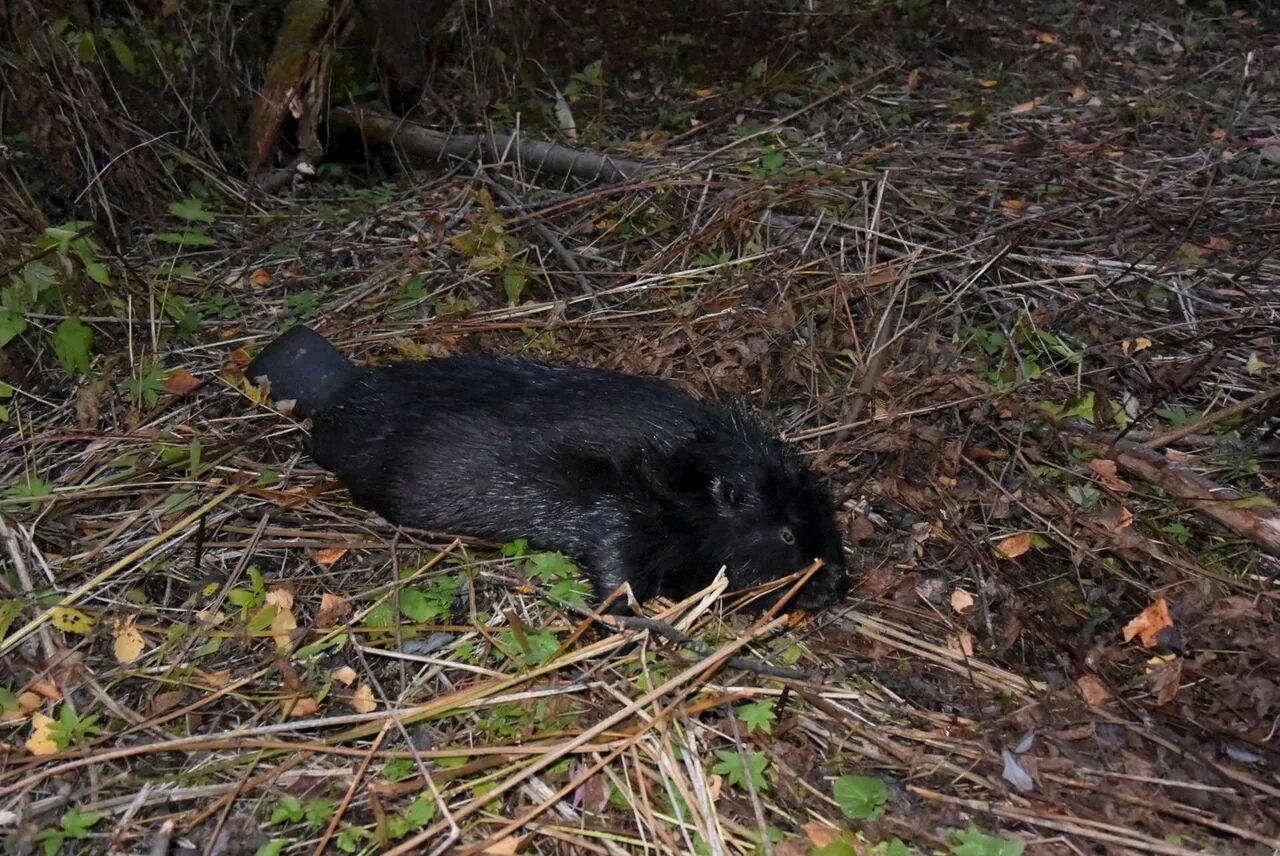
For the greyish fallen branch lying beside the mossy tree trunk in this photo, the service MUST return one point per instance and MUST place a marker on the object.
(534, 155)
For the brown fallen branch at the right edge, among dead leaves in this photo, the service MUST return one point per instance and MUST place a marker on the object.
(1223, 505)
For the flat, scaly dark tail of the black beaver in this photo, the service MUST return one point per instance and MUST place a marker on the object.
(301, 367)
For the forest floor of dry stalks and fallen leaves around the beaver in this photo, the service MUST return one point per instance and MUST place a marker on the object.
(1014, 290)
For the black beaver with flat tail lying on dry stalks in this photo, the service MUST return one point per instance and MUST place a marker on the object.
(632, 478)
